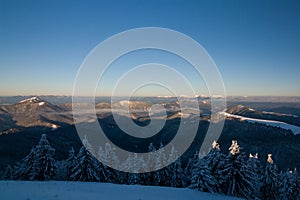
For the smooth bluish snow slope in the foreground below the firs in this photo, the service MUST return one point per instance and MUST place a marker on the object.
(58, 190)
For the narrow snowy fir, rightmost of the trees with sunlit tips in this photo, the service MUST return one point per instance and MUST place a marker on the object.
(271, 180)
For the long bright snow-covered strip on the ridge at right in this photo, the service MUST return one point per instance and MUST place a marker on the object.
(294, 129)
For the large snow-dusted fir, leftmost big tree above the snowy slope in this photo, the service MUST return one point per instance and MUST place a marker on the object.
(39, 164)
